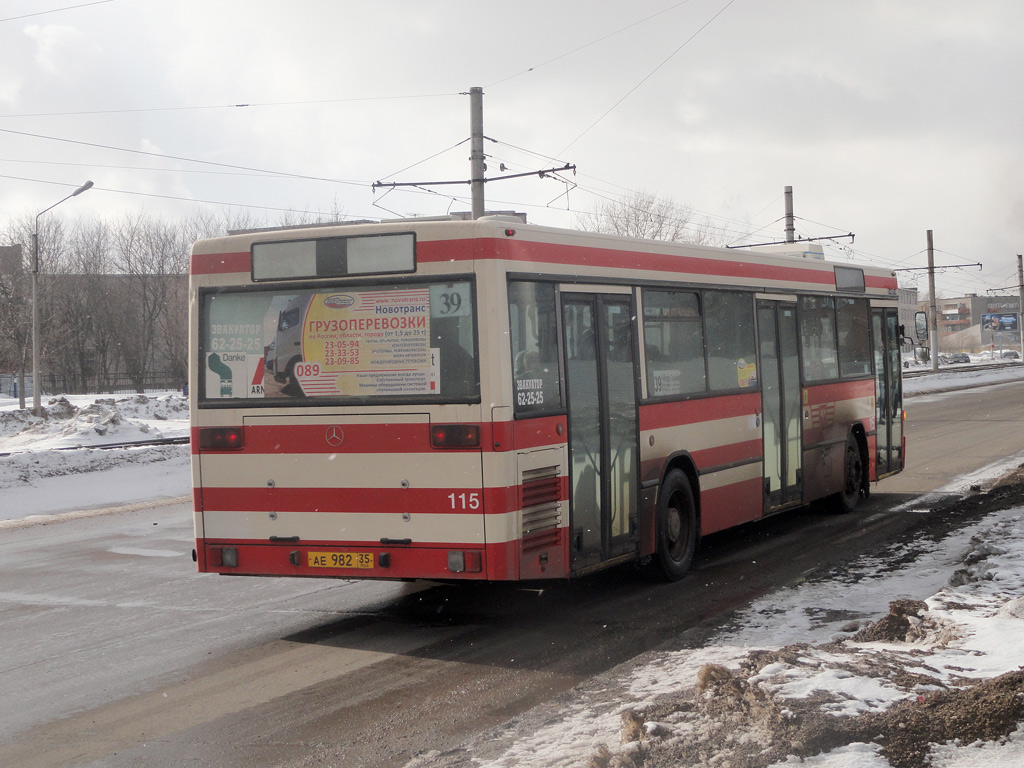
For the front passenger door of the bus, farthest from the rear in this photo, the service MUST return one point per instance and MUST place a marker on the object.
(888, 393)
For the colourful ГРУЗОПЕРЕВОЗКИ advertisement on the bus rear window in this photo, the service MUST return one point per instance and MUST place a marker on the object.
(354, 344)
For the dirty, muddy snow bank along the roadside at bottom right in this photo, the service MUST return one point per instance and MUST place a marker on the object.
(819, 675)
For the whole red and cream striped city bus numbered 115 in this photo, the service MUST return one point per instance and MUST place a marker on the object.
(495, 401)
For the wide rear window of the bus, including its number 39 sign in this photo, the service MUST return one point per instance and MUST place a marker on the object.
(406, 342)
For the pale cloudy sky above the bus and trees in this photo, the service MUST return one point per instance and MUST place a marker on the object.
(888, 118)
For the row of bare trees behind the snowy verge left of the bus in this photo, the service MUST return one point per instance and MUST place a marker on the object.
(113, 297)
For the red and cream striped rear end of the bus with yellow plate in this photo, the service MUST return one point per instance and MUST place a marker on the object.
(336, 406)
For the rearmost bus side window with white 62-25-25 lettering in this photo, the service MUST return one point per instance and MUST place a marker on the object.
(534, 336)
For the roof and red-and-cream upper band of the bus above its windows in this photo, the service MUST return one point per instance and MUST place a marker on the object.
(538, 249)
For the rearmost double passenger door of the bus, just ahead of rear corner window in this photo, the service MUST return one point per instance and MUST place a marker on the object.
(603, 421)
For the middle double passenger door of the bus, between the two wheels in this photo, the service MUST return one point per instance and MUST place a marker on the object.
(779, 372)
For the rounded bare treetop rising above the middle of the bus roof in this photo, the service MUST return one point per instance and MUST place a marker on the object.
(643, 215)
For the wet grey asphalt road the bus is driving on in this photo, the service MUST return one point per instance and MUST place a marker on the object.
(117, 654)
